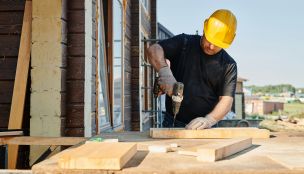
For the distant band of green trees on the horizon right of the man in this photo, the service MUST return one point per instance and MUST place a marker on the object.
(272, 89)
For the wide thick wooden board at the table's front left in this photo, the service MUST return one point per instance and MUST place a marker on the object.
(96, 155)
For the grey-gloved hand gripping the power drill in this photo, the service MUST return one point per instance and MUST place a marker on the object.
(166, 80)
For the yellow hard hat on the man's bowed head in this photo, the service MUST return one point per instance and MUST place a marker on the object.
(220, 28)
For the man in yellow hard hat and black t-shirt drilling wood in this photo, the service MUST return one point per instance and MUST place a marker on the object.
(209, 74)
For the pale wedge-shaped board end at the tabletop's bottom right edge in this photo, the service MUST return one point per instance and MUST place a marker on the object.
(291, 160)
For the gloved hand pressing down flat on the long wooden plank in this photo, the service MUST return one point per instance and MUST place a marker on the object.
(201, 123)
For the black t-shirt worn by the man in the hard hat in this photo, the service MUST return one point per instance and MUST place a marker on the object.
(205, 77)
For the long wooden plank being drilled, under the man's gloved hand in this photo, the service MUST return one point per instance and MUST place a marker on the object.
(209, 133)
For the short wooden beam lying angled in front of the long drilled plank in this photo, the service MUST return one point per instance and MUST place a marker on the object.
(215, 151)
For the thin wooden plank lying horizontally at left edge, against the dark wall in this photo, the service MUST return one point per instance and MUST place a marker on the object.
(48, 141)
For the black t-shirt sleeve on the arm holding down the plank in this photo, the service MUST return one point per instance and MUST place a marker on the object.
(230, 80)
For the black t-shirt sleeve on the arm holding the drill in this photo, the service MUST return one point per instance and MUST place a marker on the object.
(172, 47)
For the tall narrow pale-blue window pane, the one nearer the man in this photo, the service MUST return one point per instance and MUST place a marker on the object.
(117, 64)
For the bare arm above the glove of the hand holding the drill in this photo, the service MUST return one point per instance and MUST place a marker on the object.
(156, 57)
